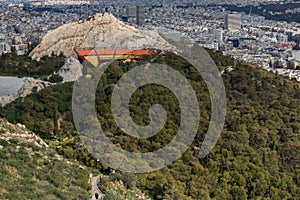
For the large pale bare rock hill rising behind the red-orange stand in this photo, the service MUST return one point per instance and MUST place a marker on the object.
(99, 31)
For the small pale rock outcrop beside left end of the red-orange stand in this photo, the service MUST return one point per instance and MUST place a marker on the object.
(71, 70)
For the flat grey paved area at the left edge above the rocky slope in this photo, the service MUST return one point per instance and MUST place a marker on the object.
(9, 85)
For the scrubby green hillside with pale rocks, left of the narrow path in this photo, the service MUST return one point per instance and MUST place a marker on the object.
(32, 171)
